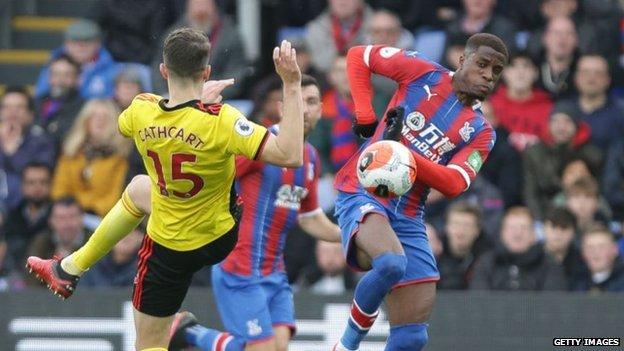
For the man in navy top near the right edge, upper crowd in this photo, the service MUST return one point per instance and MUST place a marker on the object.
(603, 113)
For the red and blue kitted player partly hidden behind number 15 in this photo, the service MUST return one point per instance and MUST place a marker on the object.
(251, 288)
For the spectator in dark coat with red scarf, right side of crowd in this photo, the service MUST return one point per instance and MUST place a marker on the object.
(544, 161)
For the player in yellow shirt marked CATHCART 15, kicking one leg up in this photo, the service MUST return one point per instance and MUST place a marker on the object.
(188, 148)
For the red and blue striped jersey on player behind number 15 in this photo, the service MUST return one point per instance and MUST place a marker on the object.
(273, 199)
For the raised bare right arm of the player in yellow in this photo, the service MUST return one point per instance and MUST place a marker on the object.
(286, 149)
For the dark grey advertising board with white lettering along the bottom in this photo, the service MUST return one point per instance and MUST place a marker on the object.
(101, 320)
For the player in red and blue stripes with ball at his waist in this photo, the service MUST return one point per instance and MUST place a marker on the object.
(442, 124)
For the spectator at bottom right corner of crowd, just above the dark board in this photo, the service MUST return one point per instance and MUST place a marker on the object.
(606, 269)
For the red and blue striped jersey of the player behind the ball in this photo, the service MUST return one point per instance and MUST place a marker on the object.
(438, 128)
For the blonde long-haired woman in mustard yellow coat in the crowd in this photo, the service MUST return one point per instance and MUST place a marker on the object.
(93, 165)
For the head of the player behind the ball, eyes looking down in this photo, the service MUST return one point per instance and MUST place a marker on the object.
(481, 65)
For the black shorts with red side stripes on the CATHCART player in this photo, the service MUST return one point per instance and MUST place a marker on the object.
(164, 275)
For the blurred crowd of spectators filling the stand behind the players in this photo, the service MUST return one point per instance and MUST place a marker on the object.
(545, 213)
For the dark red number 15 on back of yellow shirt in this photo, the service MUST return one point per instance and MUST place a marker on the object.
(177, 174)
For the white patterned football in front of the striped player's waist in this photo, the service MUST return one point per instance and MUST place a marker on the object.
(386, 168)
